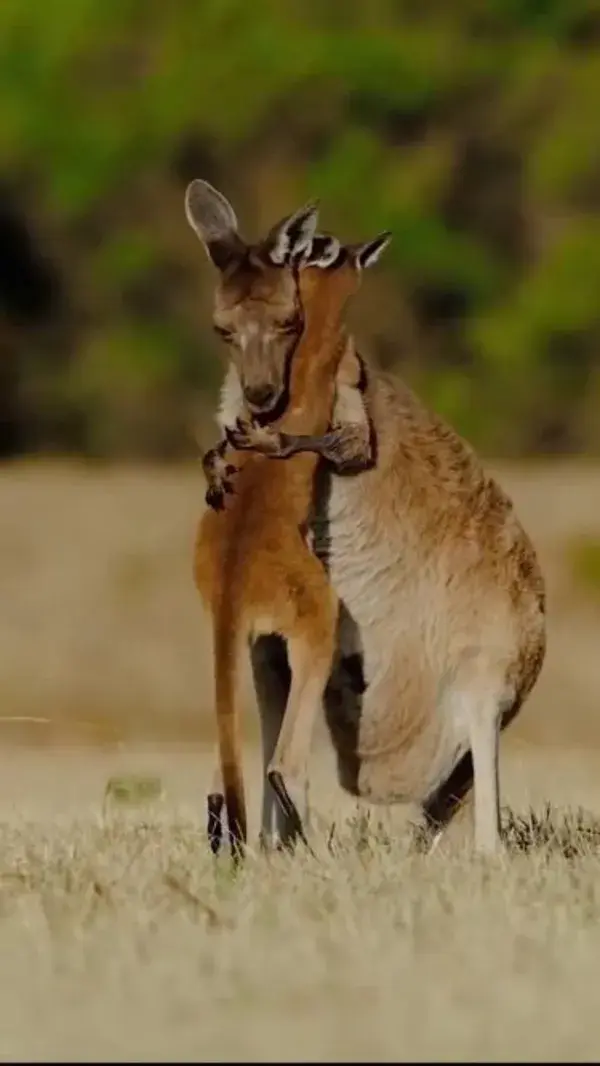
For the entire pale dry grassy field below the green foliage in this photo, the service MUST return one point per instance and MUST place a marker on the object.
(121, 939)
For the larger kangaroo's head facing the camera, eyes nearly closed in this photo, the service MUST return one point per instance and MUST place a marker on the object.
(257, 304)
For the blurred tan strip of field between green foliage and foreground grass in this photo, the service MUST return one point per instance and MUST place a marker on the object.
(102, 633)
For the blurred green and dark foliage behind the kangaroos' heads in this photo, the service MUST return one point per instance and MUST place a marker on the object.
(469, 130)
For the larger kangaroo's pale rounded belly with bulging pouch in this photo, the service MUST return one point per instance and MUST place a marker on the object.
(423, 650)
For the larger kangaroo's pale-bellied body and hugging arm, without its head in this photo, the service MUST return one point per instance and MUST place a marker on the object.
(442, 631)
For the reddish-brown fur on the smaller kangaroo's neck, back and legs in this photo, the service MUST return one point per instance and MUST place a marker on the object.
(252, 563)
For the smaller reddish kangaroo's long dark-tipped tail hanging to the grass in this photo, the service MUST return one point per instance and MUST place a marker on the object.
(226, 660)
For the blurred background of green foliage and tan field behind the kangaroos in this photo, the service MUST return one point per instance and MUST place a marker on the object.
(471, 131)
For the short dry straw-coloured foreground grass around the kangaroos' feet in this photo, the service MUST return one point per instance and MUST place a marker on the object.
(122, 940)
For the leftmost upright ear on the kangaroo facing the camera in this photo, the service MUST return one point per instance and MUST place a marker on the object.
(213, 218)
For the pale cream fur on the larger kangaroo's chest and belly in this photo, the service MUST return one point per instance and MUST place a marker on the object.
(421, 613)
